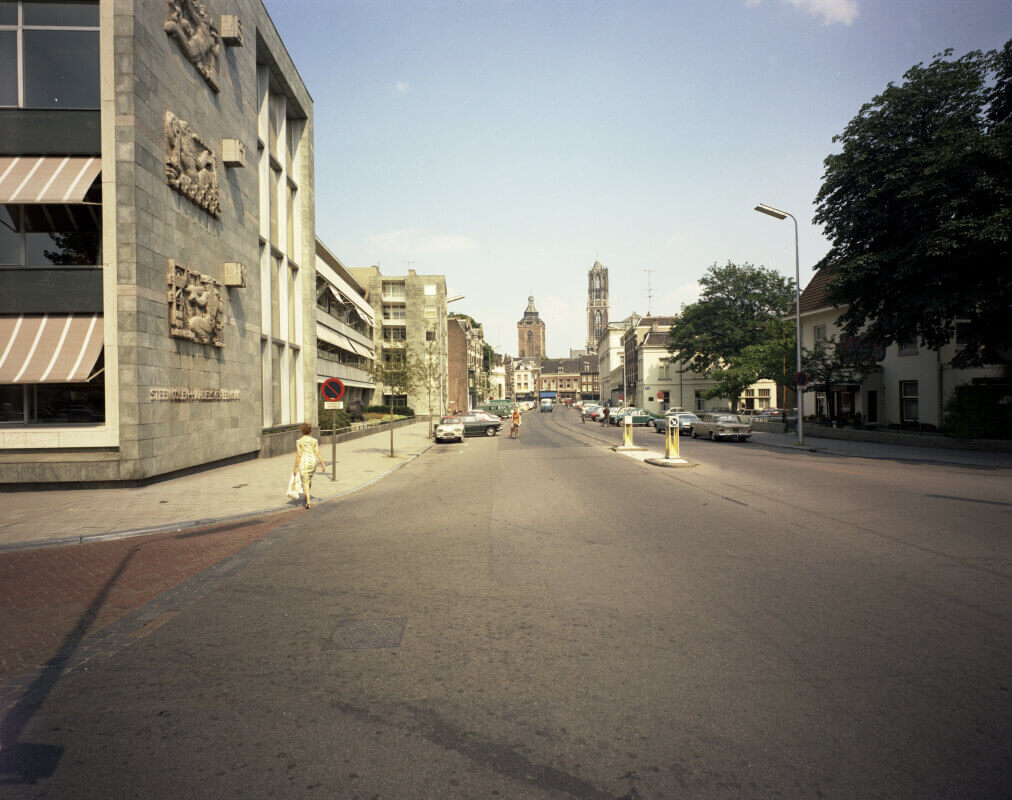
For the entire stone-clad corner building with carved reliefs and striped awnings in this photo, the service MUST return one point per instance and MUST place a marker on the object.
(157, 240)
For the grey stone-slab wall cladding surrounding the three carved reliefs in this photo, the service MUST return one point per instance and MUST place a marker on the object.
(157, 224)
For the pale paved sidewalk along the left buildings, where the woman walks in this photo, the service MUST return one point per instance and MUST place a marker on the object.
(214, 496)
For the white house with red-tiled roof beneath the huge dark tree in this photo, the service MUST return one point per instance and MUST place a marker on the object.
(911, 385)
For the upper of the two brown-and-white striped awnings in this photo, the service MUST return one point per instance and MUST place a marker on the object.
(47, 180)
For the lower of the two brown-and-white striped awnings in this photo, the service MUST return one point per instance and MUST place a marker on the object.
(52, 348)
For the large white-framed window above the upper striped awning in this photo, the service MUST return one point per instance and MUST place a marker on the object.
(58, 67)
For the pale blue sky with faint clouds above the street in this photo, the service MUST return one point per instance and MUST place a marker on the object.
(509, 145)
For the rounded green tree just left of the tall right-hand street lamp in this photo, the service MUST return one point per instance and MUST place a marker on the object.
(735, 310)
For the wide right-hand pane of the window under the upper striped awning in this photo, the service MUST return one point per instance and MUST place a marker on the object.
(61, 236)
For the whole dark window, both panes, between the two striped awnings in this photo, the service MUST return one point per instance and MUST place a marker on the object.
(47, 236)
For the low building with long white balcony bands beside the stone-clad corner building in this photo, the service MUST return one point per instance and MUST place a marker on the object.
(345, 329)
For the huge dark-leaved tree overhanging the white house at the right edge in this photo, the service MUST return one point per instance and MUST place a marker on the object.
(918, 208)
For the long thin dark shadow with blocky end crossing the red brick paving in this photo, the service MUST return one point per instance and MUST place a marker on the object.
(22, 762)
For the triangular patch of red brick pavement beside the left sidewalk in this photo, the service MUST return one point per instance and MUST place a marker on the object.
(52, 598)
